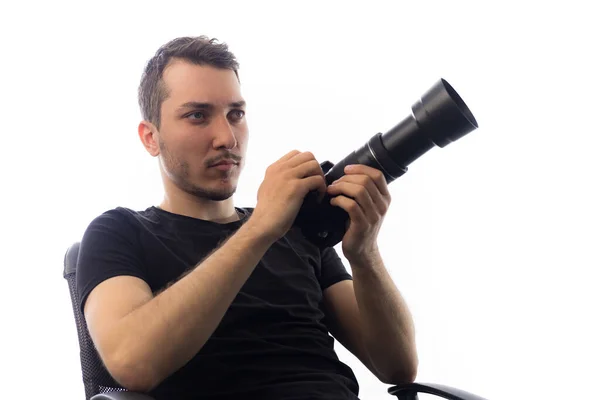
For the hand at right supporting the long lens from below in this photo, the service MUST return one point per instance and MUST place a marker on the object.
(363, 193)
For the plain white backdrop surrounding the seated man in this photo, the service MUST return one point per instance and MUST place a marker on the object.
(492, 240)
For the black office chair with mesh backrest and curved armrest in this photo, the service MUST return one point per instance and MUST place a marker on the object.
(100, 385)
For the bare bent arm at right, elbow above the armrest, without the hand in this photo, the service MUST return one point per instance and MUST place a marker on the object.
(379, 331)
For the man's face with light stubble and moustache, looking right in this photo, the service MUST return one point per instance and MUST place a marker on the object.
(202, 124)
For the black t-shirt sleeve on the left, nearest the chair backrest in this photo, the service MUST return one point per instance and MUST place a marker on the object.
(108, 248)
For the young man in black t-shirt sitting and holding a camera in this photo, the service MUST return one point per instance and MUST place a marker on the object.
(197, 298)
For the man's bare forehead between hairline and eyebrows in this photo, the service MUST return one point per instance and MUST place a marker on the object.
(189, 82)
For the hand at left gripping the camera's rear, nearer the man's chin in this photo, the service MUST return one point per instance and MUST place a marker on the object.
(281, 194)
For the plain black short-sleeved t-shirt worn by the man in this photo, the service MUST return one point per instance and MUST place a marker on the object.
(273, 342)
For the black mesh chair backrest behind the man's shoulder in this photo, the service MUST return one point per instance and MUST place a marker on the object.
(96, 378)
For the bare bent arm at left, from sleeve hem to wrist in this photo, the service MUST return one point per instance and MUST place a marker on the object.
(143, 339)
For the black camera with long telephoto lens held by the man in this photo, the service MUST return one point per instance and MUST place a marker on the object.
(439, 118)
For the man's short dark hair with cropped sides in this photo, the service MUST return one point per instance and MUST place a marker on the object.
(198, 50)
